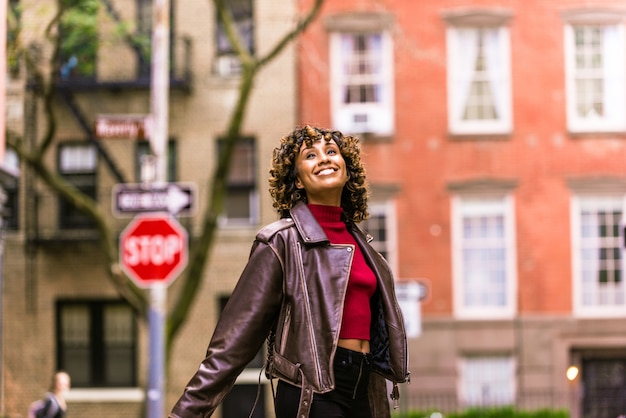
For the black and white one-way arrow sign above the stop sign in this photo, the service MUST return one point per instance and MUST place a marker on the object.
(136, 198)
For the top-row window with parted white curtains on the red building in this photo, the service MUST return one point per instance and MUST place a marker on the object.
(479, 80)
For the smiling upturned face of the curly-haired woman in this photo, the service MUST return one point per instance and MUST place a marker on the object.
(321, 172)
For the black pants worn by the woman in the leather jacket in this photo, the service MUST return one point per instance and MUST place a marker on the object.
(349, 398)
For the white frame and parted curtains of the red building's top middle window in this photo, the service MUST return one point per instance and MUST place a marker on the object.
(461, 54)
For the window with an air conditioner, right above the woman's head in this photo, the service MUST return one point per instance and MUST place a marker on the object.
(362, 82)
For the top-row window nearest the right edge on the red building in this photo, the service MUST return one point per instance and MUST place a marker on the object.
(595, 68)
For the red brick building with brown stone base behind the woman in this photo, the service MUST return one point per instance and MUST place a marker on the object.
(494, 134)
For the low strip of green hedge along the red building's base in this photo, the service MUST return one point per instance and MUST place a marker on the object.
(503, 412)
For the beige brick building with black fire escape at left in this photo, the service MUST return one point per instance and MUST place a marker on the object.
(60, 310)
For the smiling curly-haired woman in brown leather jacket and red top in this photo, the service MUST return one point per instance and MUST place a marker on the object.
(318, 292)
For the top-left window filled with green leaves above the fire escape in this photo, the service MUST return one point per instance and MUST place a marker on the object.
(78, 30)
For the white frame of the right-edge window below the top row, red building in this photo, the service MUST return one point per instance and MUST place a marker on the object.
(594, 202)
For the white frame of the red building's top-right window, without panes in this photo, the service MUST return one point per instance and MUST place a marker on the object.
(613, 73)
